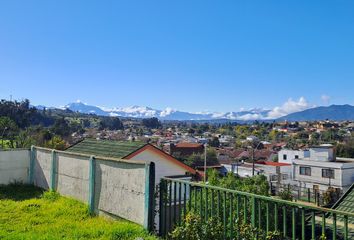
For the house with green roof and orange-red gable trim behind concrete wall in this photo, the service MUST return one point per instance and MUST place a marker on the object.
(165, 164)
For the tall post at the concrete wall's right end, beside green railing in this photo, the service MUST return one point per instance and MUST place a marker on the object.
(149, 196)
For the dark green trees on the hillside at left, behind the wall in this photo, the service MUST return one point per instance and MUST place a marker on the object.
(22, 125)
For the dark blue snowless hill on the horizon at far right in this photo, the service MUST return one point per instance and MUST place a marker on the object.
(333, 112)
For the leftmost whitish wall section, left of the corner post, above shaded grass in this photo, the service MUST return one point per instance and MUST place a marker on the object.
(14, 165)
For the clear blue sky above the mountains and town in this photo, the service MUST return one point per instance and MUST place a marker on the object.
(189, 55)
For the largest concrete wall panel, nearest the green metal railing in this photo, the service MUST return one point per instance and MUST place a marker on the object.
(120, 189)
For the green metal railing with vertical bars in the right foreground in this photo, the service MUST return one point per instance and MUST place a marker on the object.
(231, 207)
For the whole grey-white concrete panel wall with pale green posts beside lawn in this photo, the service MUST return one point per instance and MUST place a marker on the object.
(121, 188)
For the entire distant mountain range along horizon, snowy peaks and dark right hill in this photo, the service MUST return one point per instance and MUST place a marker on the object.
(333, 112)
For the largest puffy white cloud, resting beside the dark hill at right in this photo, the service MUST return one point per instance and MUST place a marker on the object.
(288, 107)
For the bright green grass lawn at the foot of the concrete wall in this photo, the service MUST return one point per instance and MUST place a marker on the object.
(27, 212)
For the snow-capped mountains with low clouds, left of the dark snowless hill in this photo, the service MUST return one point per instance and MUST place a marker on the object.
(167, 114)
